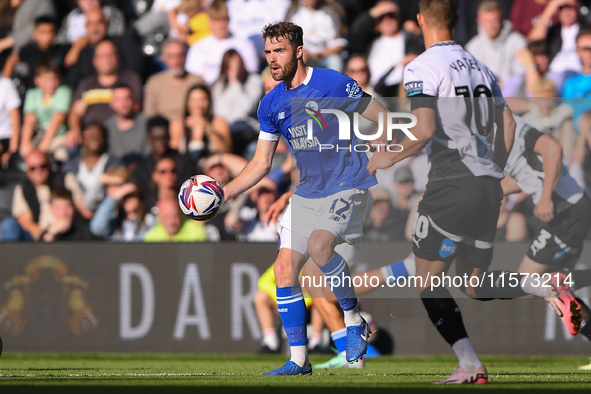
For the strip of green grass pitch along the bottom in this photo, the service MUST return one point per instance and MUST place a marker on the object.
(195, 374)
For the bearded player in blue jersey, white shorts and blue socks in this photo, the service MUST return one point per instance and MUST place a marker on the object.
(328, 206)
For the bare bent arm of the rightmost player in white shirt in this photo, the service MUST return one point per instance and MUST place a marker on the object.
(551, 153)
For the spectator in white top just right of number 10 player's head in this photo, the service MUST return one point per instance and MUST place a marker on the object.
(496, 44)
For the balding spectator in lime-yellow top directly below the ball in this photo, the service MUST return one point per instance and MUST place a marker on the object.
(172, 226)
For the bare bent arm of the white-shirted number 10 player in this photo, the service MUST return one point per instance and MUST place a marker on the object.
(423, 131)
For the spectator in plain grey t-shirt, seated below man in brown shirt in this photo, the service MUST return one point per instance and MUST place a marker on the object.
(127, 129)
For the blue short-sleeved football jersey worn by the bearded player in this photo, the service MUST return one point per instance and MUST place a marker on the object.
(327, 164)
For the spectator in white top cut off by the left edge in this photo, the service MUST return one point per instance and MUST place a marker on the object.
(10, 121)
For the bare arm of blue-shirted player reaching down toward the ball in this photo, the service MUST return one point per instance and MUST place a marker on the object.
(254, 171)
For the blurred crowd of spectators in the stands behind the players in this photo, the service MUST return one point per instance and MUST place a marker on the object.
(106, 107)
